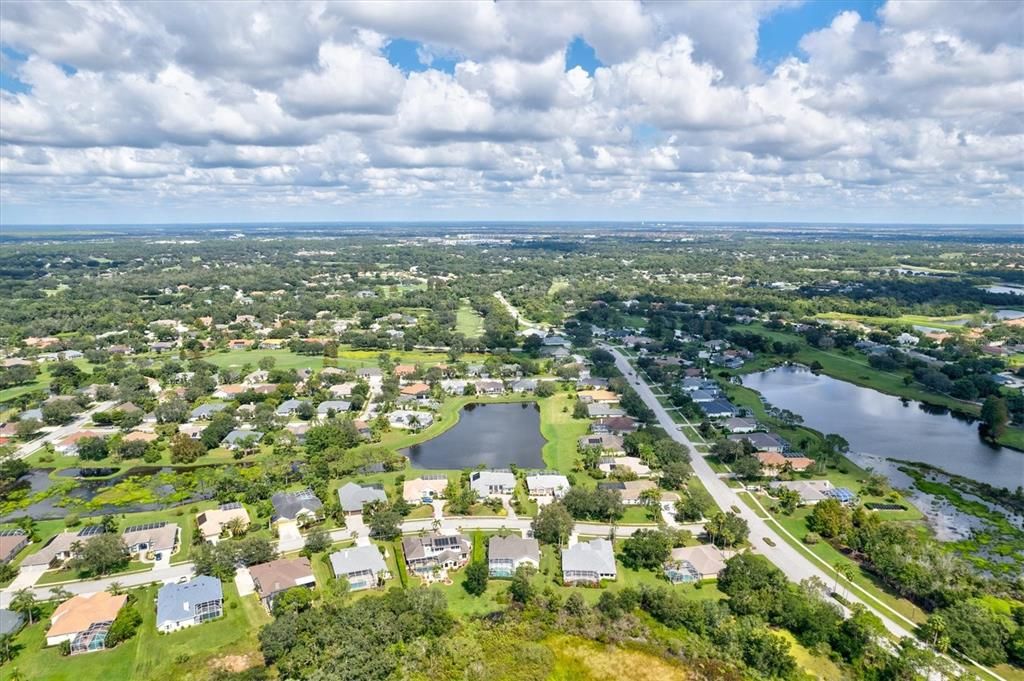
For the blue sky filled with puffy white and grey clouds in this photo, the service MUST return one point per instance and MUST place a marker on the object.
(855, 111)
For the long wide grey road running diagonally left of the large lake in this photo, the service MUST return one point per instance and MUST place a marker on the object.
(796, 567)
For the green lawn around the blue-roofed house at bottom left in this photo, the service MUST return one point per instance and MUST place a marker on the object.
(150, 656)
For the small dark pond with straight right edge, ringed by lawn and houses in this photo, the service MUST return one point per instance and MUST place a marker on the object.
(493, 436)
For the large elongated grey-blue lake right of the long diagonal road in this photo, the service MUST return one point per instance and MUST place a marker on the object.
(882, 425)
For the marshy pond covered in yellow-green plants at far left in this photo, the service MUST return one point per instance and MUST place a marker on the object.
(71, 492)
